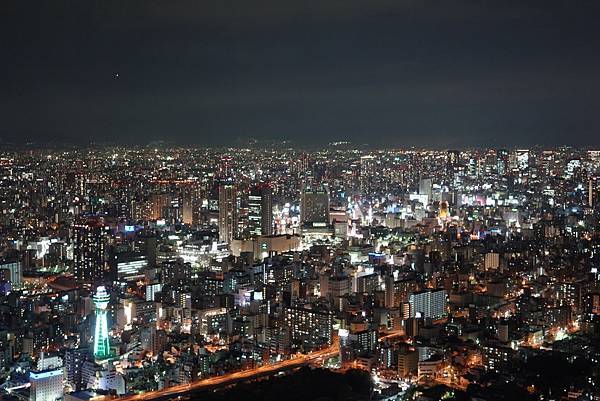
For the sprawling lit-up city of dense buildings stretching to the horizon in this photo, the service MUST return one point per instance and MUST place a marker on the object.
(129, 270)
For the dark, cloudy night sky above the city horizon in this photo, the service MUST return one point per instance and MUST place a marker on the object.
(389, 73)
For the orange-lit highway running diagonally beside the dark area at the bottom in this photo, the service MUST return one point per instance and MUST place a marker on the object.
(235, 377)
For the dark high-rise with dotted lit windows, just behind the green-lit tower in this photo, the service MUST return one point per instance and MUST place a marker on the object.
(89, 242)
